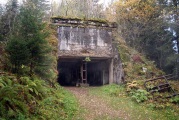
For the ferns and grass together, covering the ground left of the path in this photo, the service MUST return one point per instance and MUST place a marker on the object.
(31, 98)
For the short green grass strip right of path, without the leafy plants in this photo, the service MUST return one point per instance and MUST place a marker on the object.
(116, 97)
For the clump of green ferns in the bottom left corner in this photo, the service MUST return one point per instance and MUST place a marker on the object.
(20, 97)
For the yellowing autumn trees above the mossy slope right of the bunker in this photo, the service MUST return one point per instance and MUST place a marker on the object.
(142, 29)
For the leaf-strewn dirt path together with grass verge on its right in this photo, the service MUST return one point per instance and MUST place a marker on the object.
(96, 104)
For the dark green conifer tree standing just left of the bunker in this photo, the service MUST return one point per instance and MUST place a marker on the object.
(32, 30)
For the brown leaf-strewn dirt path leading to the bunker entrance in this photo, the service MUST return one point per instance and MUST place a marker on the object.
(95, 107)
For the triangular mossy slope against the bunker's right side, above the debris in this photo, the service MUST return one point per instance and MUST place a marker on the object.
(134, 69)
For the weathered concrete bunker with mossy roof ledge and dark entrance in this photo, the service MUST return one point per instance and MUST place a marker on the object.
(86, 53)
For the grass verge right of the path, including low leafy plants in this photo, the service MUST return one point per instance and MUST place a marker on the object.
(138, 104)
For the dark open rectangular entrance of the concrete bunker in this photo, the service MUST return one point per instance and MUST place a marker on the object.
(74, 70)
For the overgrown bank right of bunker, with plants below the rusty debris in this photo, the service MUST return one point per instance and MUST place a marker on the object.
(137, 69)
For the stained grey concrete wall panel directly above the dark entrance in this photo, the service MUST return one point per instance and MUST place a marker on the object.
(78, 41)
